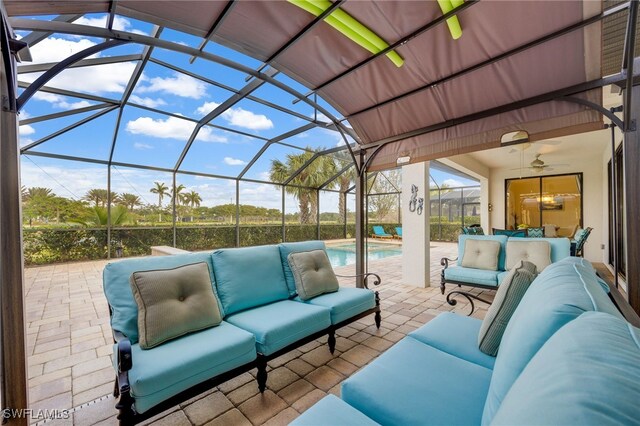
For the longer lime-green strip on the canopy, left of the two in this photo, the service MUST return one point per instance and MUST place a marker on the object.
(350, 27)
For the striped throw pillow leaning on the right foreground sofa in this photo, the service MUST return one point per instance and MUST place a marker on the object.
(508, 296)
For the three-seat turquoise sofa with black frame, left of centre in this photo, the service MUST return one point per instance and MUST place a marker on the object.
(262, 319)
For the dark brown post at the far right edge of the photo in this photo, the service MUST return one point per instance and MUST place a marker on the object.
(631, 153)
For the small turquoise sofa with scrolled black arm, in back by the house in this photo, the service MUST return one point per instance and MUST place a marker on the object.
(489, 279)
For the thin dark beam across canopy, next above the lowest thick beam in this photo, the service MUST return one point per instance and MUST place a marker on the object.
(508, 53)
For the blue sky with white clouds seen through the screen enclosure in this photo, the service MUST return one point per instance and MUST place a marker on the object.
(154, 139)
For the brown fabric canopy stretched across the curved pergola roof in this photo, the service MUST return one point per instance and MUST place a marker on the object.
(381, 100)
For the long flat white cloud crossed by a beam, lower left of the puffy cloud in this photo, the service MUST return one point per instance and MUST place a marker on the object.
(171, 128)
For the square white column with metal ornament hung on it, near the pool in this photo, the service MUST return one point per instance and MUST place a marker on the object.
(415, 227)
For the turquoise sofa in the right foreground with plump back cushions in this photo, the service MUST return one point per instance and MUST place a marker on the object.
(567, 356)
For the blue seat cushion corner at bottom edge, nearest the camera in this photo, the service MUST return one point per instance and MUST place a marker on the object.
(331, 411)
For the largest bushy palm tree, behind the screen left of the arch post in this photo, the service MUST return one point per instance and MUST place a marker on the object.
(312, 176)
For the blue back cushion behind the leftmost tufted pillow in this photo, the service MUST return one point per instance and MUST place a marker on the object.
(117, 288)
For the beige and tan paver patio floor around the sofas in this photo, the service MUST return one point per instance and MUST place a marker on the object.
(70, 344)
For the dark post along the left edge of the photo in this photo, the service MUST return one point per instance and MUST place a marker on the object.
(14, 392)
